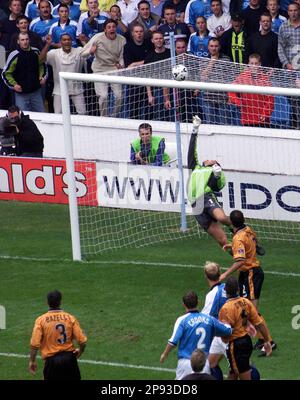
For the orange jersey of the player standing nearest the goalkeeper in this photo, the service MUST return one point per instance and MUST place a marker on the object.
(244, 248)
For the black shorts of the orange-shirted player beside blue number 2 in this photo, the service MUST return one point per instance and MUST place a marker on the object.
(239, 353)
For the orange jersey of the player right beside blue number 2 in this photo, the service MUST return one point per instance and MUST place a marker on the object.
(236, 312)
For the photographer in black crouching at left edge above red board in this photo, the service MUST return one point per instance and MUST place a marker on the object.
(19, 135)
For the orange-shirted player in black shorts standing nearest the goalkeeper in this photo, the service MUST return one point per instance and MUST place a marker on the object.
(251, 275)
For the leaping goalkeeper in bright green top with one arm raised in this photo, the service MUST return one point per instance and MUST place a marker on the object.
(205, 180)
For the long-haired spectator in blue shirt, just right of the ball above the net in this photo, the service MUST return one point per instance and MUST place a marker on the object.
(198, 42)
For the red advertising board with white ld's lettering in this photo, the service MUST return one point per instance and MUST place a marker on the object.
(45, 180)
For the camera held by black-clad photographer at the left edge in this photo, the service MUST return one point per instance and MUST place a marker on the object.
(8, 130)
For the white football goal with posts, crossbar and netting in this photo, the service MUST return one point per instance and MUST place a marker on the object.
(111, 223)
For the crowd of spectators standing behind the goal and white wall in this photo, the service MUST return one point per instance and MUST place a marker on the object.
(42, 38)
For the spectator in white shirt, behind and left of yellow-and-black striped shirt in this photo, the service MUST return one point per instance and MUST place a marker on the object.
(218, 22)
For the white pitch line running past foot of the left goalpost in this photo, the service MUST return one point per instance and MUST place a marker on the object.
(132, 262)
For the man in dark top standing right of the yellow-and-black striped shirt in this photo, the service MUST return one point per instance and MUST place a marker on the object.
(265, 43)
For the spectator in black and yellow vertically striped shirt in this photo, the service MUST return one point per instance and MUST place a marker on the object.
(234, 42)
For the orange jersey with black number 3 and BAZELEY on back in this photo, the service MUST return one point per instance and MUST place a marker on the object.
(54, 332)
